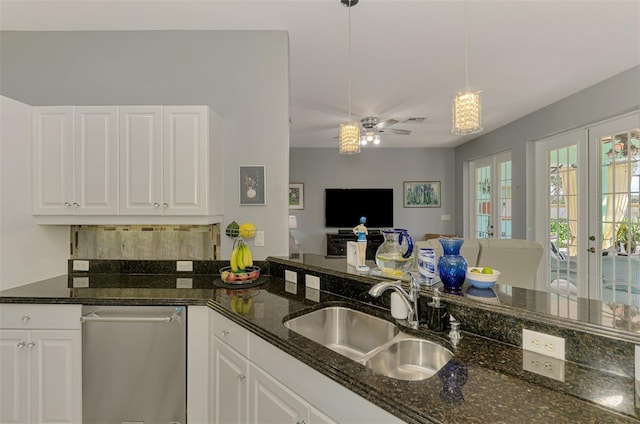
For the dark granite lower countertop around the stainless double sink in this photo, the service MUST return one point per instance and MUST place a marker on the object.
(497, 388)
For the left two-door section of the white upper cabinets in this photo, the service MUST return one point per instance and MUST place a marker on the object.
(75, 163)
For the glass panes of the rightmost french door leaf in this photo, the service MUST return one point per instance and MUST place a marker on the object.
(620, 216)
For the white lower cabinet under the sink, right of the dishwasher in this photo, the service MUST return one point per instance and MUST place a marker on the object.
(255, 382)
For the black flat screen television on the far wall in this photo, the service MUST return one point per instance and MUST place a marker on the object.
(345, 206)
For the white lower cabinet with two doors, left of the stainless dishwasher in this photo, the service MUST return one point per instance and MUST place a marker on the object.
(40, 369)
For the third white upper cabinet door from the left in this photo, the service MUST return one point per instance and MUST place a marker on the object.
(140, 163)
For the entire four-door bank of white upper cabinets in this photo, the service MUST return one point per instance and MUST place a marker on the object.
(127, 165)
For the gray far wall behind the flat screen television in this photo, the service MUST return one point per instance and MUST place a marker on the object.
(322, 168)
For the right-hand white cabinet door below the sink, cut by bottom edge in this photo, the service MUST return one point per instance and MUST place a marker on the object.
(271, 402)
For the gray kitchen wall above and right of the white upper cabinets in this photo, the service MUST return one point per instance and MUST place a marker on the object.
(242, 75)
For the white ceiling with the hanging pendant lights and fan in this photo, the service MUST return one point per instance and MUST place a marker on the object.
(407, 56)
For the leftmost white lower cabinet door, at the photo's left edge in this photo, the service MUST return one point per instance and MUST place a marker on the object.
(14, 390)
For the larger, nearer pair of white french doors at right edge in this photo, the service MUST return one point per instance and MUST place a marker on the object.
(586, 191)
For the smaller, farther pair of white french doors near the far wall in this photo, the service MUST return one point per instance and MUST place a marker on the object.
(490, 190)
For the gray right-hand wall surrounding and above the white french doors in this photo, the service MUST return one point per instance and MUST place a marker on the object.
(609, 98)
